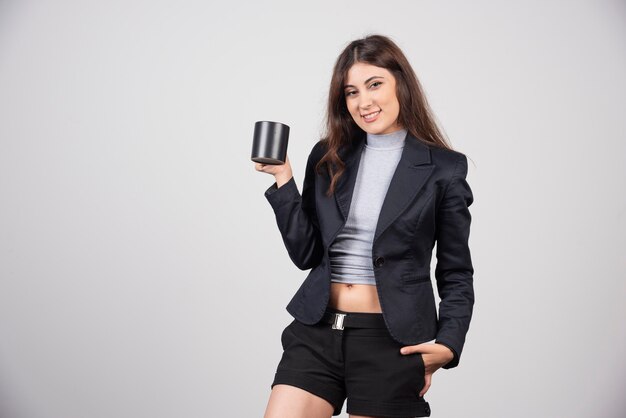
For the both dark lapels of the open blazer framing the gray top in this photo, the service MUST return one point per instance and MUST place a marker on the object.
(413, 169)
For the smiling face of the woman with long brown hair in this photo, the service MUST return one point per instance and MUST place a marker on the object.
(371, 99)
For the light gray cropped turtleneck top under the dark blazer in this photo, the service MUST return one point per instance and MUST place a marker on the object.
(351, 252)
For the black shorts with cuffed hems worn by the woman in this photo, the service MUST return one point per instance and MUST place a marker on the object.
(362, 363)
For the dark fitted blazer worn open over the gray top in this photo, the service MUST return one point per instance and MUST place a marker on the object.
(427, 202)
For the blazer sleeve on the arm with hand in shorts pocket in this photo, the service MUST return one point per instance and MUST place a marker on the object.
(454, 271)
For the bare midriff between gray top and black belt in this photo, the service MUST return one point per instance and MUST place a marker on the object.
(354, 297)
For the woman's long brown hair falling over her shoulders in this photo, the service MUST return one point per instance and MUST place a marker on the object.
(415, 114)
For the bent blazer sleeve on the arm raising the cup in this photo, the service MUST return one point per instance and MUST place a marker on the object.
(297, 218)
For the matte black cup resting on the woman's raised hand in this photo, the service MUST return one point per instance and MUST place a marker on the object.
(270, 142)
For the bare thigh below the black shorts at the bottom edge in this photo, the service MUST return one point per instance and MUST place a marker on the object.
(288, 401)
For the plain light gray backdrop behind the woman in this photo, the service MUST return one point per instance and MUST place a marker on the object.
(141, 270)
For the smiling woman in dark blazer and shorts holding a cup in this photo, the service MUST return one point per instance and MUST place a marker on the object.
(379, 191)
